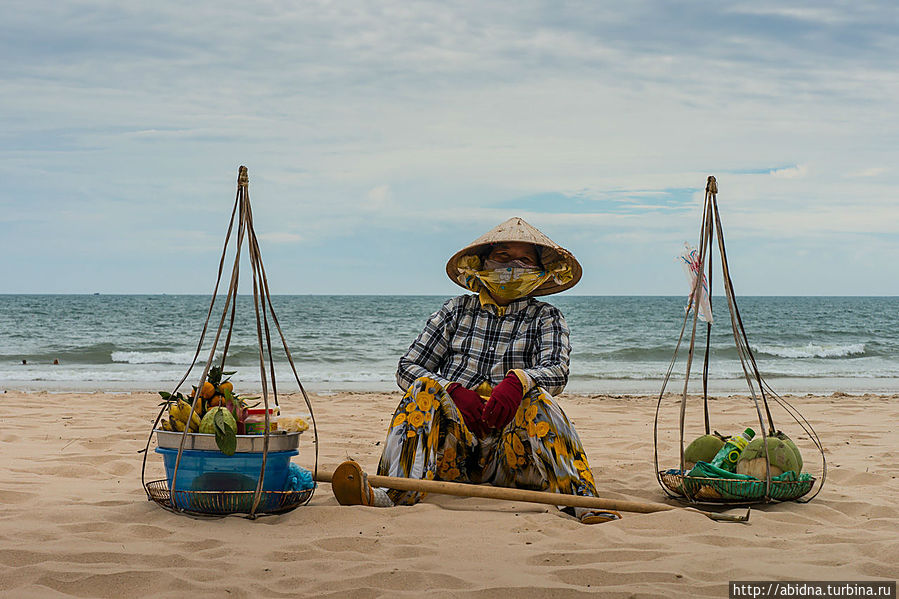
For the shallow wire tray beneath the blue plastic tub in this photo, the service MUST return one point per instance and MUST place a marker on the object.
(223, 503)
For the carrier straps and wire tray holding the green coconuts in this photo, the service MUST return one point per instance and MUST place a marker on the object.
(676, 484)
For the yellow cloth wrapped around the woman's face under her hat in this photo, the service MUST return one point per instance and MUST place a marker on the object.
(510, 283)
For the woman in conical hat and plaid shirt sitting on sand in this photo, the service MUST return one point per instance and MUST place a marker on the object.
(479, 381)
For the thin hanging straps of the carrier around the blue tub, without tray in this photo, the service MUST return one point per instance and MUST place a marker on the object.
(264, 310)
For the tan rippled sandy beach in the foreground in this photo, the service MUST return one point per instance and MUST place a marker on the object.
(76, 522)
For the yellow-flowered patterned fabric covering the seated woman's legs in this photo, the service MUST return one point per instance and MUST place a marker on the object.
(538, 450)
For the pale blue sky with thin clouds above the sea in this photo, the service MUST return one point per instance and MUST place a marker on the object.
(381, 137)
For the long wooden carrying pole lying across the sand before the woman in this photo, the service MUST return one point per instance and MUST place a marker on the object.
(487, 492)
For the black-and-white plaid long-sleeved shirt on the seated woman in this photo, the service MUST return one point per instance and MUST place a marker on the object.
(466, 343)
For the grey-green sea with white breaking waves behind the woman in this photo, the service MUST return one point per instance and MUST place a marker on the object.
(620, 344)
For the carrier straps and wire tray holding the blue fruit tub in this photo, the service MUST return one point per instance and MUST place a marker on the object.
(266, 319)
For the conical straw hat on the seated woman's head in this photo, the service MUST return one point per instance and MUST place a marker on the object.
(516, 229)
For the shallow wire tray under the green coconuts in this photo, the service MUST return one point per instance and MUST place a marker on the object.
(732, 490)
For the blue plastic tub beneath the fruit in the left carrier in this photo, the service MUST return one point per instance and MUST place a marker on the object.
(215, 471)
